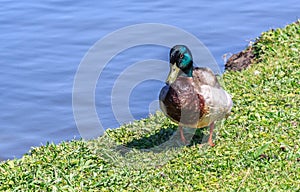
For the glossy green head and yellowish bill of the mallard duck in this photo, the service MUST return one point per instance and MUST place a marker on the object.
(181, 63)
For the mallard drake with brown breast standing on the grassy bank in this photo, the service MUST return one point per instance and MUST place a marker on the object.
(192, 96)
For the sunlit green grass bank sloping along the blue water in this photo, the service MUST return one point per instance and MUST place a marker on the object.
(257, 147)
